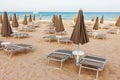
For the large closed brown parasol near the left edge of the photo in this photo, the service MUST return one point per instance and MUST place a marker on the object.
(6, 29)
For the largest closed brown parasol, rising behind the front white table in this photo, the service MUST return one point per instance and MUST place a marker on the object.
(79, 34)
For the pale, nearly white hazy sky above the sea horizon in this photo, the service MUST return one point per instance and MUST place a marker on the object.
(60, 5)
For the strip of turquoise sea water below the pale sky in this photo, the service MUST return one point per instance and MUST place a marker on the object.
(110, 16)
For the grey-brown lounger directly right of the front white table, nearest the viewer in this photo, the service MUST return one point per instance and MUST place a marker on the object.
(92, 62)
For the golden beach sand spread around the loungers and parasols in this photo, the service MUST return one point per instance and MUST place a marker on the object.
(33, 65)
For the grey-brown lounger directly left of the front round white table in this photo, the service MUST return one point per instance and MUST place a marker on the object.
(59, 56)
